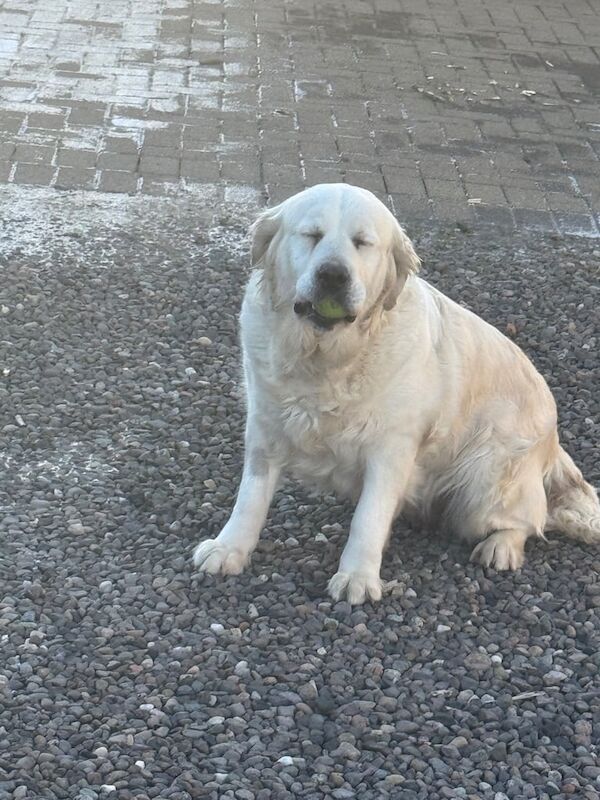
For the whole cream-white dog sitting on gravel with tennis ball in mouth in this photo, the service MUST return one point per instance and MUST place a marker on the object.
(363, 379)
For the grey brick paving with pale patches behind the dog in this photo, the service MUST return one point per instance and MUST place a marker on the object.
(457, 109)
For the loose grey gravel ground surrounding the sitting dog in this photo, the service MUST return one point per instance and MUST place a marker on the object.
(123, 674)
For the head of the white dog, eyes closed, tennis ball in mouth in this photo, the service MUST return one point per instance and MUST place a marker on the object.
(332, 254)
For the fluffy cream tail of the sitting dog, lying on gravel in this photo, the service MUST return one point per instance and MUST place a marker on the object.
(573, 506)
